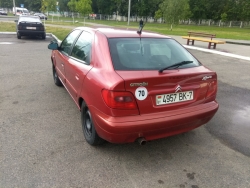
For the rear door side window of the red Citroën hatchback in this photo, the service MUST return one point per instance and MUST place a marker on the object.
(82, 47)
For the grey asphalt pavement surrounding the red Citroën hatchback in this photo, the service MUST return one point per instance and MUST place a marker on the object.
(42, 145)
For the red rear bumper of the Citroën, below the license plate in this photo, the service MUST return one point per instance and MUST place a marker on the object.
(153, 126)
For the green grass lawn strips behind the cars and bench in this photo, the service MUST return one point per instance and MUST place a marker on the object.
(181, 30)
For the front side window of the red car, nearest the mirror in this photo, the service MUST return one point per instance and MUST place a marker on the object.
(67, 43)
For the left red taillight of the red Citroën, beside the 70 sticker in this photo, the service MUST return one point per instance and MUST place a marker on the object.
(119, 99)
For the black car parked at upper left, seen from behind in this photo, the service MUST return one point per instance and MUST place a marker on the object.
(30, 26)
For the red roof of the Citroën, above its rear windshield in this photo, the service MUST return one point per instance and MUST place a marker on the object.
(120, 33)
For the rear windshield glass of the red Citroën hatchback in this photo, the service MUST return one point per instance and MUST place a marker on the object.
(148, 53)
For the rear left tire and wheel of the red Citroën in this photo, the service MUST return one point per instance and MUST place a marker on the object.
(88, 127)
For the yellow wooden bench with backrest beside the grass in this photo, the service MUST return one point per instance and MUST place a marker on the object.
(203, 37)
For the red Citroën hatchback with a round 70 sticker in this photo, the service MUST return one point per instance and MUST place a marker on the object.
(133, 86)
